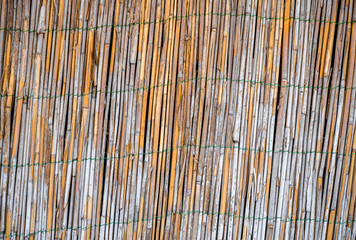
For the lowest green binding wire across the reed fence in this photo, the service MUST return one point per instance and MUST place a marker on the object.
(184, 214)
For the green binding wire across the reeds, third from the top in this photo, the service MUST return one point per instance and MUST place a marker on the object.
(171, 149)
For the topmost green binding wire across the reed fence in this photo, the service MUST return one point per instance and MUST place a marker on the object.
(177, 17)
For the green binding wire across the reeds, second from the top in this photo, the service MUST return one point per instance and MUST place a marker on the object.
(177, 83)
